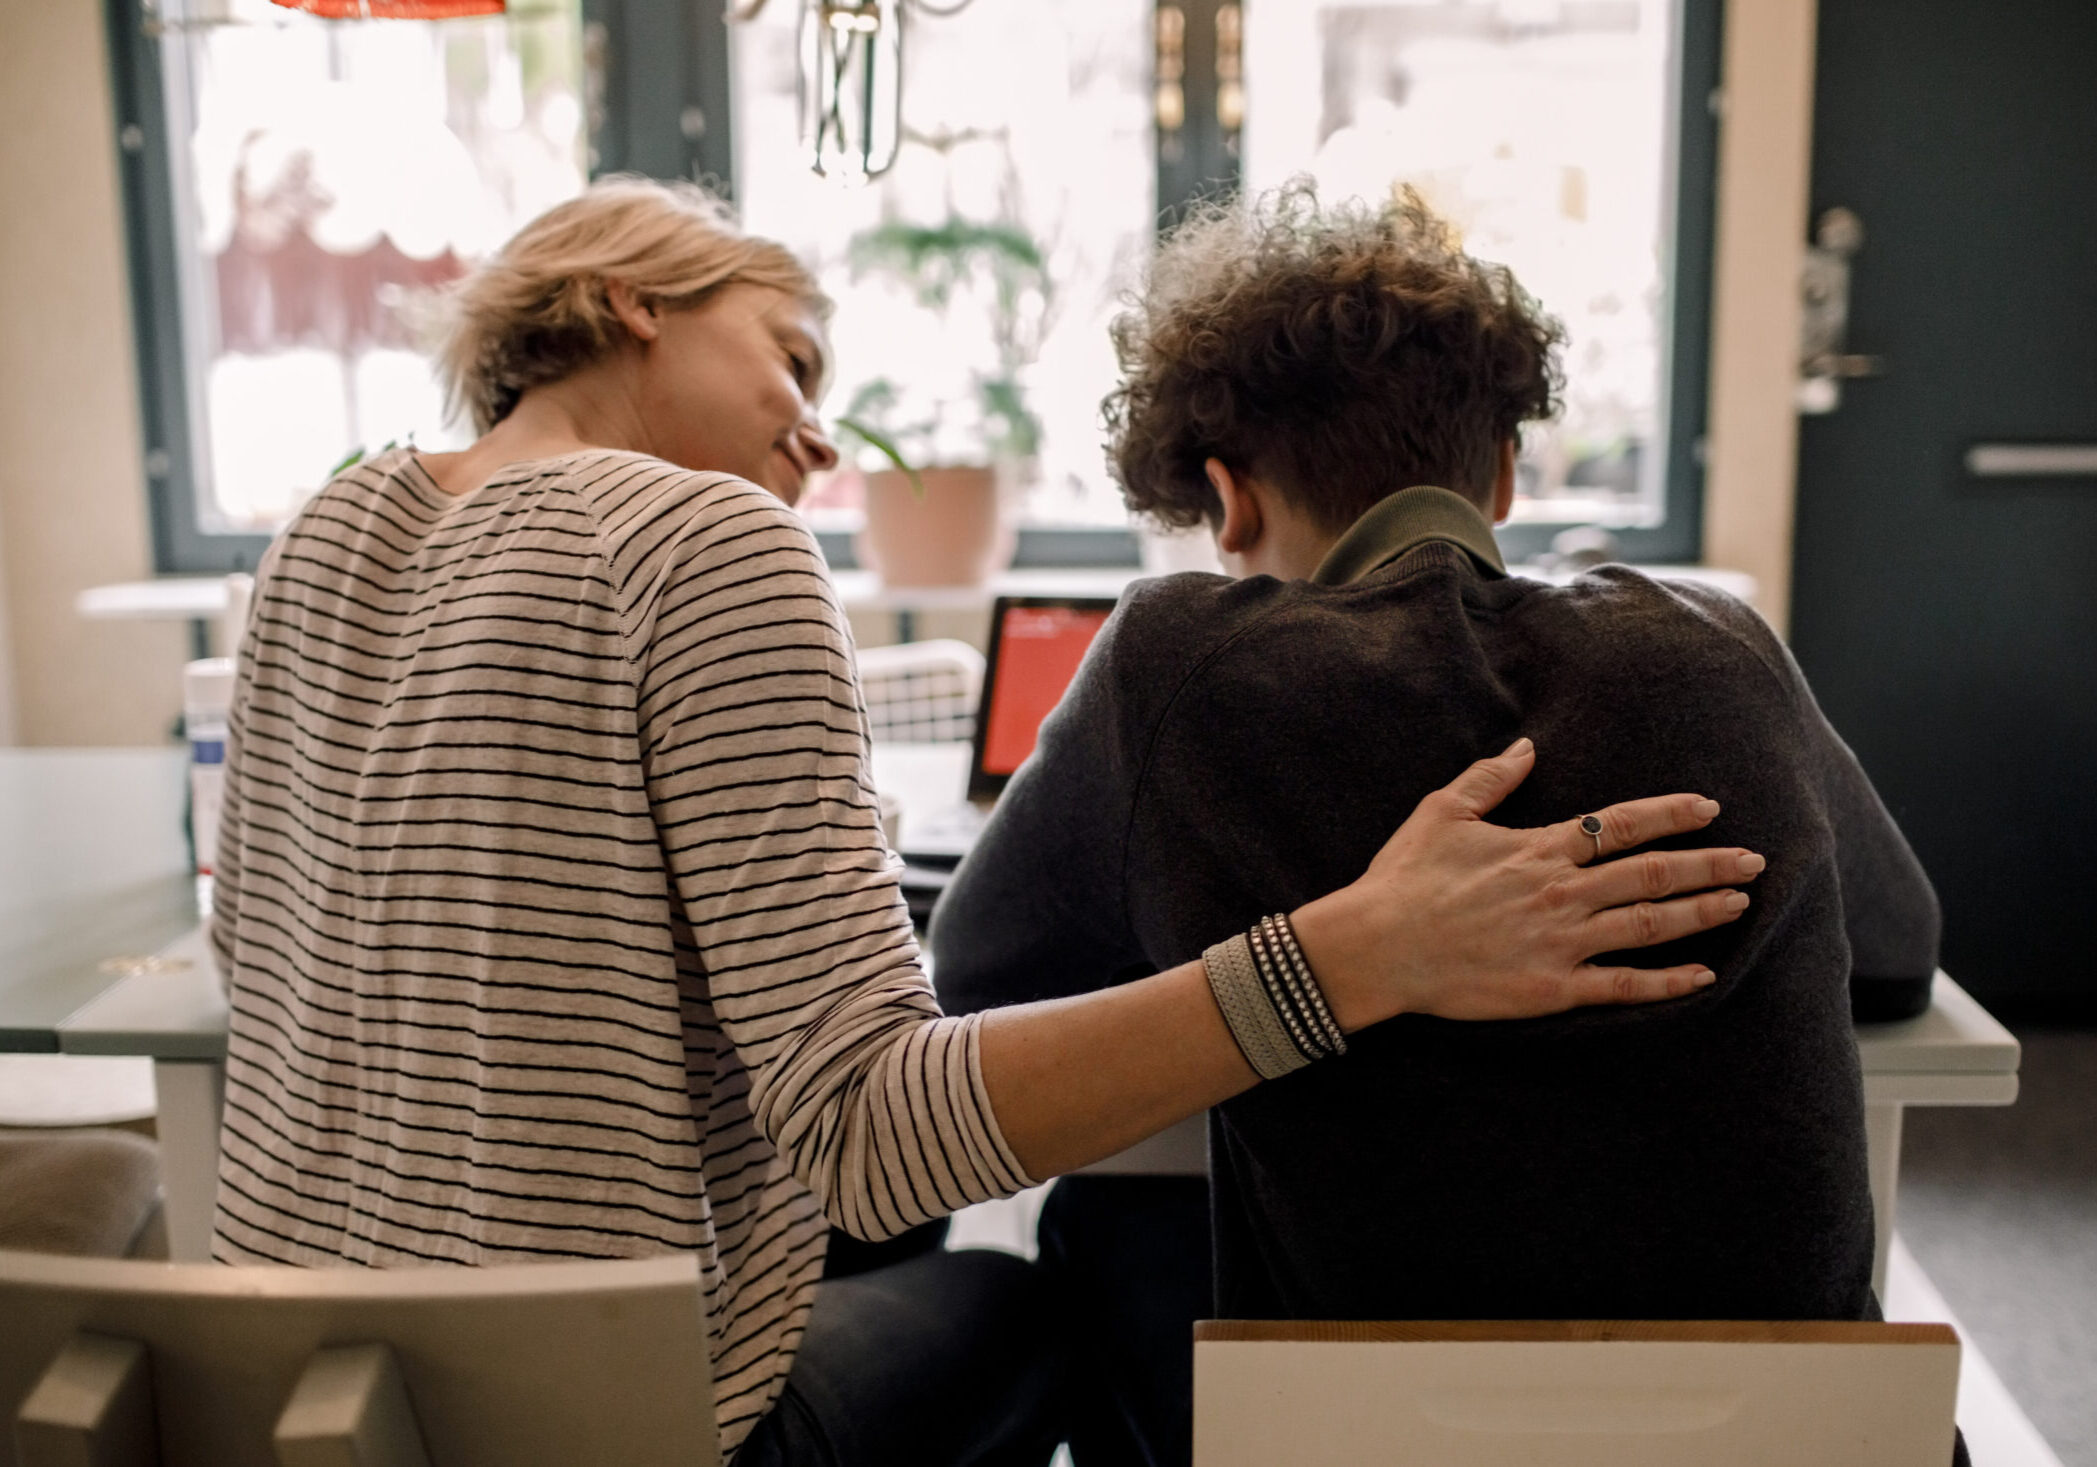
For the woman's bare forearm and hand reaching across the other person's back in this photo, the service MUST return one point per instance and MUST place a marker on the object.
(1456, 917)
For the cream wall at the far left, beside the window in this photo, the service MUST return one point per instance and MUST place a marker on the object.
(72, 496)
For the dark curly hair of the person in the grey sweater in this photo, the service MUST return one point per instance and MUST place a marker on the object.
(1339, 353)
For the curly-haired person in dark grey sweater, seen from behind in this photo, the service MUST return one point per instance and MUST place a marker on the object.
(1339, 395)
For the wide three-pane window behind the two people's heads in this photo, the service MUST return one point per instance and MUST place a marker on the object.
(299, 185)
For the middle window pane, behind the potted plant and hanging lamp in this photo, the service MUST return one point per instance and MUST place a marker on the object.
(1026, 133)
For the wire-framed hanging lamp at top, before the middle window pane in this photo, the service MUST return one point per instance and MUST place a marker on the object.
(852, 81)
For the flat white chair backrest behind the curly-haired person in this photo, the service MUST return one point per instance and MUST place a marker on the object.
(1574, 1395)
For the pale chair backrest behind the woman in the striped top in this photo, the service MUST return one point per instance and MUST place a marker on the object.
(540, 1365)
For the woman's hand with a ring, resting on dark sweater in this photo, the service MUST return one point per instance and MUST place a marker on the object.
(1465, 919)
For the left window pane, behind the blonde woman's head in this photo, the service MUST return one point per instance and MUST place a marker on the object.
(328, 179)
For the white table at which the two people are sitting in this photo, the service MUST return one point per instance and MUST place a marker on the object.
(177, 1015)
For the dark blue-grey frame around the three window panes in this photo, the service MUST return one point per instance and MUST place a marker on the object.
(657, 81)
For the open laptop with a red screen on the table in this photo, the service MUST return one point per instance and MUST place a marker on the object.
(1037, 644)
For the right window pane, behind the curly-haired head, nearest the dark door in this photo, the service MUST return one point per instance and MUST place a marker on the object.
(1542, 131)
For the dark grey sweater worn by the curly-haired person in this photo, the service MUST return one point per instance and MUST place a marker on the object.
(1236, 749)
